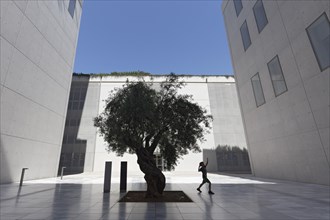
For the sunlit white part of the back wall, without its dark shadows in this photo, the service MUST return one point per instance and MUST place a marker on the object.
(199, 87)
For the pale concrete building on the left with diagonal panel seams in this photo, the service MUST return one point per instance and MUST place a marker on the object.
(38, 44)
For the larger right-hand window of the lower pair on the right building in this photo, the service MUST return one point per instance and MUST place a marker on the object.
(276, 75)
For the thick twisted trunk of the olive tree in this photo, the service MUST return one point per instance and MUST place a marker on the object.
(154, 177)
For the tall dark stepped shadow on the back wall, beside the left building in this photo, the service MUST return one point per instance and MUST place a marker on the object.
(73, 151)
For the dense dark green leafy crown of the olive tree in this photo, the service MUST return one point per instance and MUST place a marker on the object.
(139, 116)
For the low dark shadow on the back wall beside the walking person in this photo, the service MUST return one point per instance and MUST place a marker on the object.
(230, 159)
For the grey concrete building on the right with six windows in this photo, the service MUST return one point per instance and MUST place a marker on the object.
(280, 54)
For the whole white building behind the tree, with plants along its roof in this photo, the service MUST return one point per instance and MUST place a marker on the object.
(85, 151)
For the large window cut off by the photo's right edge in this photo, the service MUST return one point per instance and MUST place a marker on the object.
(319, 36)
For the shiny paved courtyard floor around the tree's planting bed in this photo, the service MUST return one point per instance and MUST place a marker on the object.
(81, 197)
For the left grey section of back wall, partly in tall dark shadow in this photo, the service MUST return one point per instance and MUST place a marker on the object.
(80, 134)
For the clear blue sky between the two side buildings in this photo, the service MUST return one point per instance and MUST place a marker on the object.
(184, 37)
